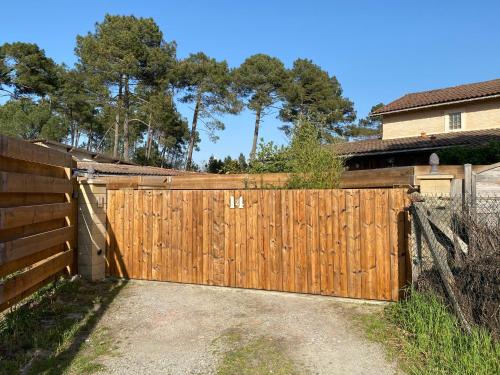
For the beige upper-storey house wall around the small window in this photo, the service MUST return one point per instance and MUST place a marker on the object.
(475, 116)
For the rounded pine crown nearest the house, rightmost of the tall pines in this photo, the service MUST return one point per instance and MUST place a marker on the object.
(311, 94)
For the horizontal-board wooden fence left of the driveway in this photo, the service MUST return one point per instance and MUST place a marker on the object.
(37, 217)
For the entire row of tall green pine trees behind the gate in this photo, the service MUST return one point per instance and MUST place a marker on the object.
(121, 96)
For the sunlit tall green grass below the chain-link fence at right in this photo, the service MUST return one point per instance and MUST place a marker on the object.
(426, 338)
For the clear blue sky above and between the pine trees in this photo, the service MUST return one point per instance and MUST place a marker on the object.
(379, 50)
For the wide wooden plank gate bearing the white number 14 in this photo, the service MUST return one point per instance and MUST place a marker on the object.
(349, 243)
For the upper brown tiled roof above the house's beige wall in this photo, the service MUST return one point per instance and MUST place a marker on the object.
(480, 90)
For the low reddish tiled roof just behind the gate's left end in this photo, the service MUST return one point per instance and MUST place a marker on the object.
(111, 169)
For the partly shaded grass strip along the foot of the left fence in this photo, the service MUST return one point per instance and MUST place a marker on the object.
(52, 332)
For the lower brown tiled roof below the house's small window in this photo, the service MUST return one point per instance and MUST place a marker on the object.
(434, 141)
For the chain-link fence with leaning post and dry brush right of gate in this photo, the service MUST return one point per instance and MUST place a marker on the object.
(456, 254)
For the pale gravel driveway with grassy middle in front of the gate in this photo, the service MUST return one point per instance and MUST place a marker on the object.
(164, 328)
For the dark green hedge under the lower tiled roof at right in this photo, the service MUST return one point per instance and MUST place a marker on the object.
(487, 154)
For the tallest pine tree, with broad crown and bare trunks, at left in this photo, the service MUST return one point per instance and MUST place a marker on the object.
(128, 56)
